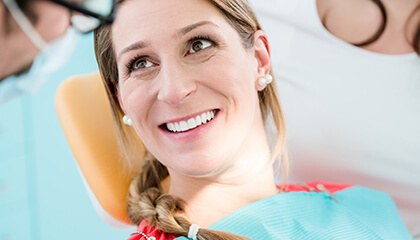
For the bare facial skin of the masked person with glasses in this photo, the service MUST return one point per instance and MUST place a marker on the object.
(18, 51)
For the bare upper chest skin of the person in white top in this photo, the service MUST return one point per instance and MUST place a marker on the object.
(341, 21)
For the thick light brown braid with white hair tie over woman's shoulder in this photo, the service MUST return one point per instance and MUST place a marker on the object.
(164, 211)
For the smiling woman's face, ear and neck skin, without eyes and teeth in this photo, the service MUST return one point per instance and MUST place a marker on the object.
(224, 164)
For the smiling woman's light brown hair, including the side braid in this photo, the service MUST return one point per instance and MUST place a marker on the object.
(146, 200)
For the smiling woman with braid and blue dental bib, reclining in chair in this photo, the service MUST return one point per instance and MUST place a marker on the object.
(192, 79)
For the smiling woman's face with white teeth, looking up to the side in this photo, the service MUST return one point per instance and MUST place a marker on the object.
(188, 84)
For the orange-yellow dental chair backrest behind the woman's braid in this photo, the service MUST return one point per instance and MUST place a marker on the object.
(85, 115)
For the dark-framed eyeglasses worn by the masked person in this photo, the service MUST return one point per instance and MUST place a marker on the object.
(91, 13)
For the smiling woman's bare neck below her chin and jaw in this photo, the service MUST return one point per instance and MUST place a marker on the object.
(244, 176)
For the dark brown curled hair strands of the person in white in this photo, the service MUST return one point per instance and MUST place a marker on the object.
(415, 41)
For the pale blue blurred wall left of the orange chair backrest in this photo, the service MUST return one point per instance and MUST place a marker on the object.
(42, 194)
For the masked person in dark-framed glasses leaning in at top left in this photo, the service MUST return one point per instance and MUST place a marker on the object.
(33, 48)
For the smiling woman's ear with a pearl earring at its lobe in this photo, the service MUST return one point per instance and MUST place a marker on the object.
(262, 54)
